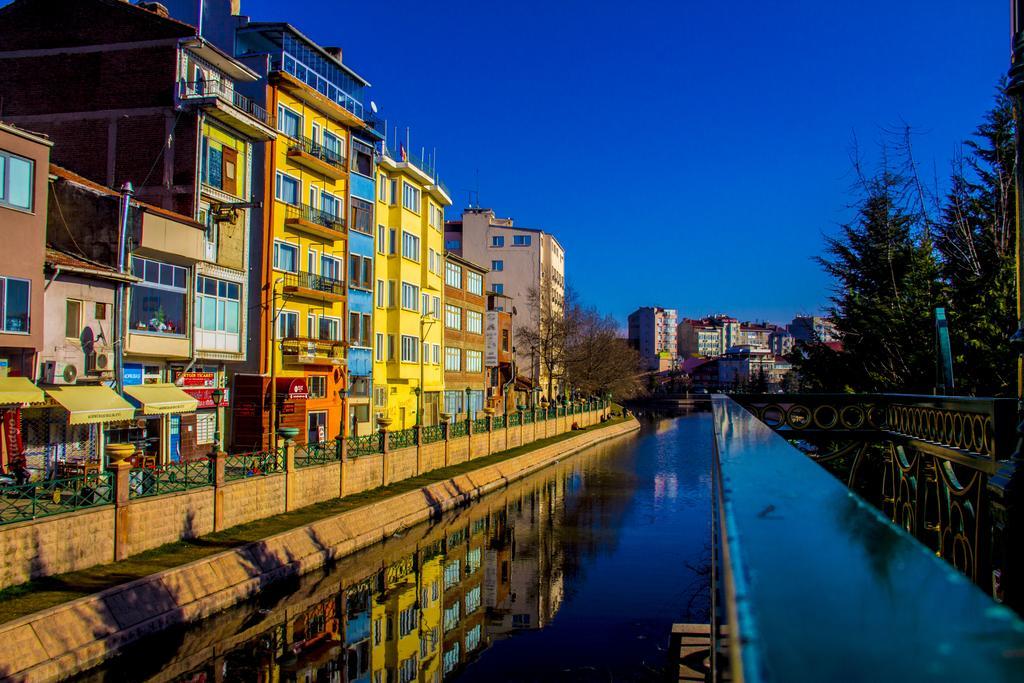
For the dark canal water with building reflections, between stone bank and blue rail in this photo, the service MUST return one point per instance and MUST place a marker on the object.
(576, 574)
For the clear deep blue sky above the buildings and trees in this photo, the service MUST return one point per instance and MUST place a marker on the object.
(687, 154)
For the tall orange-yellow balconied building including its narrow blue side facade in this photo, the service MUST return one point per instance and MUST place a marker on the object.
(311, 219)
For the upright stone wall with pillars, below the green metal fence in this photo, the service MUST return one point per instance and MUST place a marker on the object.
(97, 536)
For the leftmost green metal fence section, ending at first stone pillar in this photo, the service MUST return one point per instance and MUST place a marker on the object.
(54, 497)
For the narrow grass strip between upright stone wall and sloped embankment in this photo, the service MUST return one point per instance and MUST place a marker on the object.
(49, 592)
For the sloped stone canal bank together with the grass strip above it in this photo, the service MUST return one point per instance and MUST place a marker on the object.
(228, 568)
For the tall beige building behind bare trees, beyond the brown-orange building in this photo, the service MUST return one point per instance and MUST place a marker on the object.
(522, 261)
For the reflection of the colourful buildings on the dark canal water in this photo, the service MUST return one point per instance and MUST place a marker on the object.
(425, 616)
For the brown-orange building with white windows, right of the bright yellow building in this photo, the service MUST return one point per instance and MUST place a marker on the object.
(465, 312)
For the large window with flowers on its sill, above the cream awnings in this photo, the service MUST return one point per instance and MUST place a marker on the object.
(158, 305)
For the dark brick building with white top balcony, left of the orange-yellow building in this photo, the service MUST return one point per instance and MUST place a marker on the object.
(178, 126)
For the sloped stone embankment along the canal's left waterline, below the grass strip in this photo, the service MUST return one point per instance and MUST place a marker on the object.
(79, 635)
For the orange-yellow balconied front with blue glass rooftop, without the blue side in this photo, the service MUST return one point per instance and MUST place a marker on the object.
(317, 104)
